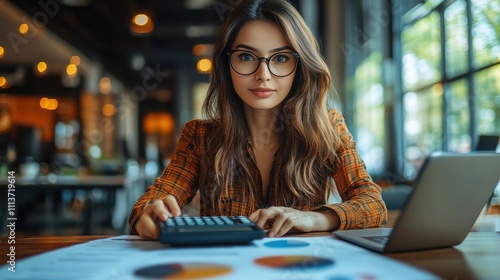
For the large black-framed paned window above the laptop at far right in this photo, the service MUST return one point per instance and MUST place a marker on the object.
(450, 67)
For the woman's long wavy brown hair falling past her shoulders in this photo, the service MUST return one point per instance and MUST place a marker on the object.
(307, 139)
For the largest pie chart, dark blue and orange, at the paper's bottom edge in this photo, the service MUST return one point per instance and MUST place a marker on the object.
(192, 270)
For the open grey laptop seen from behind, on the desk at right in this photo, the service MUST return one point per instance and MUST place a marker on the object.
(449, 193)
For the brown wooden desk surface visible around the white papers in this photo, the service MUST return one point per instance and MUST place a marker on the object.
(476, 258)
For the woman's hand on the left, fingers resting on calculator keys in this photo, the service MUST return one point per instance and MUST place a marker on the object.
(156, 210)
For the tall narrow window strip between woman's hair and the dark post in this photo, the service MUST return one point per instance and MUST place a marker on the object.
(368, 93)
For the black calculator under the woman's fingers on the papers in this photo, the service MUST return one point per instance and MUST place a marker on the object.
(209, 230)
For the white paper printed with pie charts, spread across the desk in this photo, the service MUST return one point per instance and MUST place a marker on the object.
(129, 257)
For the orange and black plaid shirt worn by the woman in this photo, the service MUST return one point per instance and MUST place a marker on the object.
(361, 207)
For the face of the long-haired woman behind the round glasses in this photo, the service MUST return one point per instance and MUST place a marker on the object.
(261, 90)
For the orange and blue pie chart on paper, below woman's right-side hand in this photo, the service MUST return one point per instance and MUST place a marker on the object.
(295, 262)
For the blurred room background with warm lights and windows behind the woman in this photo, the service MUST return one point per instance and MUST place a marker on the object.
(93, 94)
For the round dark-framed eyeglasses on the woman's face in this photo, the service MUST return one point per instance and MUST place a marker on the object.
(279, 64)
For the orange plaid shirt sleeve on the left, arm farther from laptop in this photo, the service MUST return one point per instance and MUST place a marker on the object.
(179, 178)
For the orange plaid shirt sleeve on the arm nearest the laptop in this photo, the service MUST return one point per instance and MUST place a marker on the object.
(362, 205)
